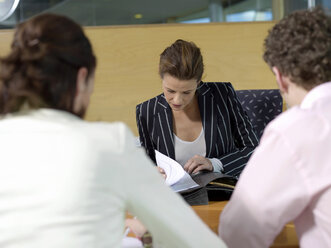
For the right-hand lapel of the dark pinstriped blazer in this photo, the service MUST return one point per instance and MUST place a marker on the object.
(208, 117)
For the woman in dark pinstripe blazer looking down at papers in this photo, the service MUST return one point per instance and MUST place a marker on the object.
(201, 125)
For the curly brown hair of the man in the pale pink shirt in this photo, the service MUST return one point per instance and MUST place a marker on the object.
(300, 47)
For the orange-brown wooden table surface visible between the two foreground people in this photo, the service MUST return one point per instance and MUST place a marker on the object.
(210, 215)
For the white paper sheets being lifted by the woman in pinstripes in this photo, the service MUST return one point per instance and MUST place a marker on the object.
(178, 179)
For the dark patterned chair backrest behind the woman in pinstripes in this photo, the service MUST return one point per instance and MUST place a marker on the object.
(261, 106)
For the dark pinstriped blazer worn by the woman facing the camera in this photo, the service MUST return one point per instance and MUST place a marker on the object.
(228, 131)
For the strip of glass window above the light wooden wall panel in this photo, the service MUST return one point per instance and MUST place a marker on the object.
(128, 12)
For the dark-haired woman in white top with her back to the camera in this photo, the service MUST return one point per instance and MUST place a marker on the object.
(65, 182)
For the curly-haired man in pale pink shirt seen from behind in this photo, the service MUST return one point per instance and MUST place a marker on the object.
(288, 176)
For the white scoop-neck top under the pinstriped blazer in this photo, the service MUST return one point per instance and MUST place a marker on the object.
(185, 150)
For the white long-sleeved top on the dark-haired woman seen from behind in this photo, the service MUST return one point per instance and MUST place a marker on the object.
(65, 182)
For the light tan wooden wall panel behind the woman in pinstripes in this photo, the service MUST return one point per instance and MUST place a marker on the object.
(128, 59)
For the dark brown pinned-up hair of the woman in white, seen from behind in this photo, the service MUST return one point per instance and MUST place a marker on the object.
(41, 69)
